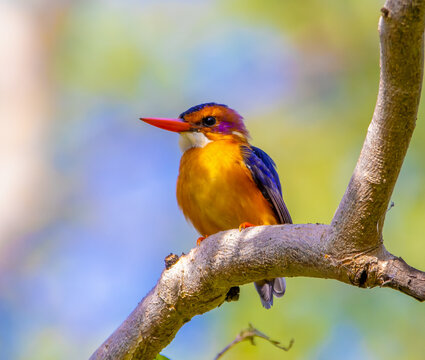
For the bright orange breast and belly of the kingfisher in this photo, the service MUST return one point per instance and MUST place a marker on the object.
(216, 192)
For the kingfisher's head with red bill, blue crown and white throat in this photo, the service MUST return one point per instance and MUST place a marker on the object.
(204, 123)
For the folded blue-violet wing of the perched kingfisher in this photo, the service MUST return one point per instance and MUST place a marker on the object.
(263, 171)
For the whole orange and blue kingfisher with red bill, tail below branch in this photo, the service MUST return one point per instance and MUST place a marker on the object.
(225, 182)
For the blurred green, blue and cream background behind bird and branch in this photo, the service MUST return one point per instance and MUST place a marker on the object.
(88, 208)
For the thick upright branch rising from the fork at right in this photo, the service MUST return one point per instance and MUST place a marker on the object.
(360, 216)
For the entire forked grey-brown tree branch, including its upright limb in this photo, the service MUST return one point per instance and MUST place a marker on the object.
(350, 250)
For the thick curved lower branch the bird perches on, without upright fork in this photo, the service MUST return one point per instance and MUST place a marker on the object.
(200, 280)
